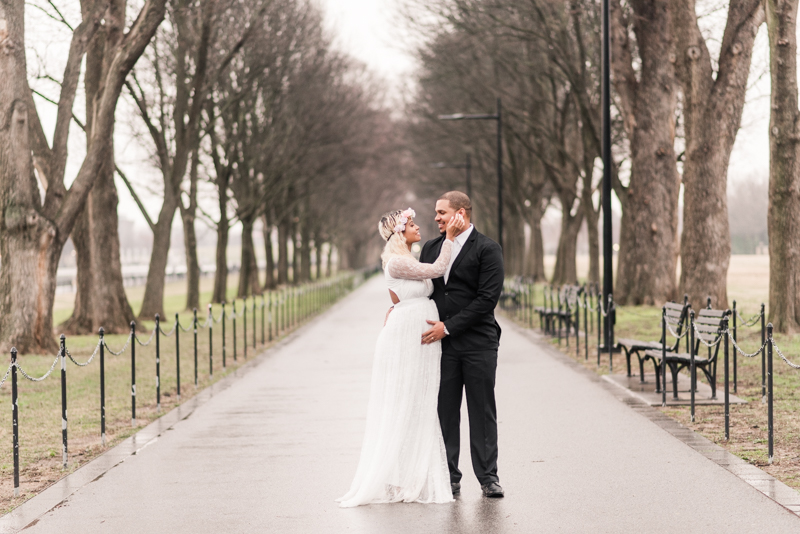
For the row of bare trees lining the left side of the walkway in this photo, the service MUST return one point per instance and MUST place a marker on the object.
(247, 113)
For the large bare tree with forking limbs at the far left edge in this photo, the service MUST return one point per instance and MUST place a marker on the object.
(32, 231)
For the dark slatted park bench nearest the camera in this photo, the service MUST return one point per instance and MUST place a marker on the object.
(709, 327)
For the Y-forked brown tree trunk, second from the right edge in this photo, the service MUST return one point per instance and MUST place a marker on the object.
(712, 111)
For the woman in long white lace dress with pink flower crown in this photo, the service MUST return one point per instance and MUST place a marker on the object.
(403, 455)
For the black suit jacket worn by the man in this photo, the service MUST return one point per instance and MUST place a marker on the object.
(466, 303)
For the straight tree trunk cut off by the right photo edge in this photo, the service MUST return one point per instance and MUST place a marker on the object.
(784, 173)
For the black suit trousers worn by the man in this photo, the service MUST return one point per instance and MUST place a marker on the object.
(473, 372)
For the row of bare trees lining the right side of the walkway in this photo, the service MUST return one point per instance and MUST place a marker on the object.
(679, 89)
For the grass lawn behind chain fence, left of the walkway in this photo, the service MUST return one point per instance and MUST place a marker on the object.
(40, 402)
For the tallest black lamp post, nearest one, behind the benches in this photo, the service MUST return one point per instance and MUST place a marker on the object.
(608, 273)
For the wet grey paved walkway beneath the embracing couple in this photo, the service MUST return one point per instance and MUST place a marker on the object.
(271, 453)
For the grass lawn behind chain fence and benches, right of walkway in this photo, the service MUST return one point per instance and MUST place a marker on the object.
(748, 284)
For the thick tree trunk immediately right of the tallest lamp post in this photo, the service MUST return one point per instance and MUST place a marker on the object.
(648, 233)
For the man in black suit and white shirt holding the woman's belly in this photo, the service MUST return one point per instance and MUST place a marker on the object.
(466, 297)
